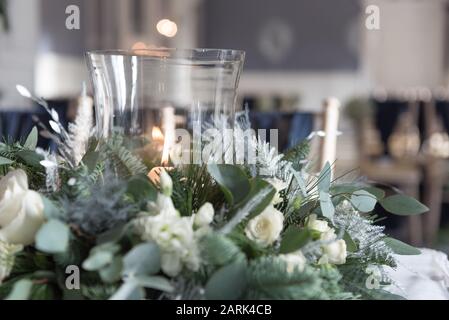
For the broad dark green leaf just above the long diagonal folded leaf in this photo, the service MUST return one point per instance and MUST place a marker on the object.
(232, 181)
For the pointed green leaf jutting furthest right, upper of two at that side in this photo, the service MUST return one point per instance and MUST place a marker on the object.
(403, 205)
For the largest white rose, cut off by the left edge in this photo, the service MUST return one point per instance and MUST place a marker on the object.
(21, 210)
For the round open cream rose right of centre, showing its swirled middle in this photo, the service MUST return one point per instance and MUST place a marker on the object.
(266, 227)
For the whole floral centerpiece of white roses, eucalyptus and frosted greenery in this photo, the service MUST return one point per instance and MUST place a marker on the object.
(87, 223)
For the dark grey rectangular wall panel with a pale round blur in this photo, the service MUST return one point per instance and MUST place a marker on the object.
(285, 35)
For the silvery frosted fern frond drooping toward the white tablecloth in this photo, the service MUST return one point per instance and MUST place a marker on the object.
(368, 237)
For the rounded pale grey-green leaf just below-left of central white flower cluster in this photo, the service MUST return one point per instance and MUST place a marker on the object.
(143, 259)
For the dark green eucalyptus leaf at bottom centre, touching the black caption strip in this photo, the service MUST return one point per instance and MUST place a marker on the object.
(228, 283)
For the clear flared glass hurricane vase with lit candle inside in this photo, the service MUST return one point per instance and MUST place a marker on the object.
(151, 93)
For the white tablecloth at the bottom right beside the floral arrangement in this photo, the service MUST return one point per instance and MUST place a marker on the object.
(421, 277)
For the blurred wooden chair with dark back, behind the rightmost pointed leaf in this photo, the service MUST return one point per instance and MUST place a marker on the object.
(379, 166)
